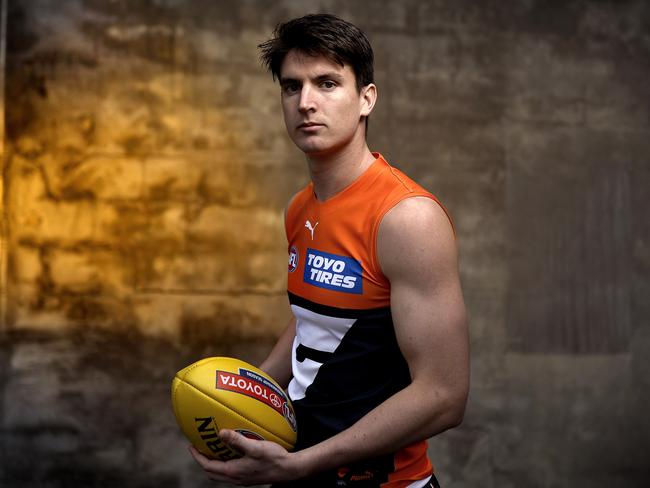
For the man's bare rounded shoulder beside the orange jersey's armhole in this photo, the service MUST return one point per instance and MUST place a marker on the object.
(415, 235)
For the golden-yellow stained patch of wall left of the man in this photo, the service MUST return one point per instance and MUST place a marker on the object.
(143, 198)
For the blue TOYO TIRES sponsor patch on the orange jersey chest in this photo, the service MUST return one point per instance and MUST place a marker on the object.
(333, 272)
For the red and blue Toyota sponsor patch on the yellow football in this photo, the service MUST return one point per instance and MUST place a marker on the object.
(255, 386)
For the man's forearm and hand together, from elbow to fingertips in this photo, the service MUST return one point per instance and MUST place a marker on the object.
(415, 413)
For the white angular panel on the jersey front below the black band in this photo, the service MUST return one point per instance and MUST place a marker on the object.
(320, 332)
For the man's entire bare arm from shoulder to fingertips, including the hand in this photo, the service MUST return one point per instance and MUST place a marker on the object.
(417, 252)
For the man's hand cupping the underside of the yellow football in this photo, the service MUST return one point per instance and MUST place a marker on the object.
(262, 462)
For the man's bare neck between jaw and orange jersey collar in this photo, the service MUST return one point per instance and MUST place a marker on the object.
(332, 173)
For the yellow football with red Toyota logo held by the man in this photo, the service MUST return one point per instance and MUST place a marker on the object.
(226, 393)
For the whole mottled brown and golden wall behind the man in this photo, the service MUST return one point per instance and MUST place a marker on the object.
(145, 168)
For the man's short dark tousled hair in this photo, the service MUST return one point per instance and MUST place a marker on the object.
(325, 35)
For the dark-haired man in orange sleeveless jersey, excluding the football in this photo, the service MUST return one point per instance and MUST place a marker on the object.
(376, 358)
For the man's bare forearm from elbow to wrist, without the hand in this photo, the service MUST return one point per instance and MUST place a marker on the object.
(411, 415)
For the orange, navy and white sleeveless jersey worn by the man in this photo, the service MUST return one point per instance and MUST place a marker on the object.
(345, 357)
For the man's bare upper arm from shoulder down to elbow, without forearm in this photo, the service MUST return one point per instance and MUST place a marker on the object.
(418, 253)
